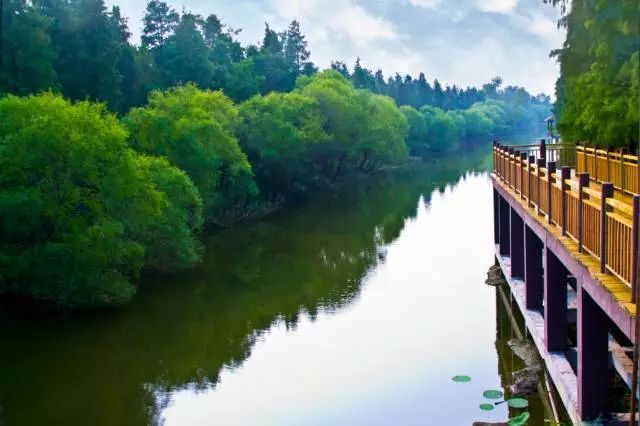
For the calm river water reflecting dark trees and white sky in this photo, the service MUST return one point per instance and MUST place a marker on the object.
(355, 308)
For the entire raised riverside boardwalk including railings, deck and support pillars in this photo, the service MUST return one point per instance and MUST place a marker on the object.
(566, 222)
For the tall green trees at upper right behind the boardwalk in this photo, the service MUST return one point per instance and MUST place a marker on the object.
(599, 87)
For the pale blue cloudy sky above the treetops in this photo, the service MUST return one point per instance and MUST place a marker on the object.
(461, 42)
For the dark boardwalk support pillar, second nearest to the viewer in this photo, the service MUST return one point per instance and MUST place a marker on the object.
(555, 303)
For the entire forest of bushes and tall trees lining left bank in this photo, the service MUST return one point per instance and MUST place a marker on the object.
(114, 156)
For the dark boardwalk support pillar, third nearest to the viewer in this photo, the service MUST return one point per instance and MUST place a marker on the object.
(533, 269)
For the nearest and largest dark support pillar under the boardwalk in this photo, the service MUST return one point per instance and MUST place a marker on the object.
(593, 357)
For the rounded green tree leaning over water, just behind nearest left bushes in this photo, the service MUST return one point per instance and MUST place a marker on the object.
(192, 129)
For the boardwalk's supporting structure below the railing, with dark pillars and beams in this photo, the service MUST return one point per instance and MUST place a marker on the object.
(579, 318)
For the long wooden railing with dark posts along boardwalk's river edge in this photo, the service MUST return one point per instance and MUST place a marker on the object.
(603, 226)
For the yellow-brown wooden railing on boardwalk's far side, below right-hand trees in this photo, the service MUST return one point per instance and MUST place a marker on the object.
(619, 168)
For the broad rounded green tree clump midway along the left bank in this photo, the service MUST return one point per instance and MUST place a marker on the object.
(324, 129)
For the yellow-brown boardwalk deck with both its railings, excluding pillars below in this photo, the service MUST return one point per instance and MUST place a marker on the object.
(607, 245)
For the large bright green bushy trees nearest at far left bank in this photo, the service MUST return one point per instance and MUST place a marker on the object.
(77, 205)
